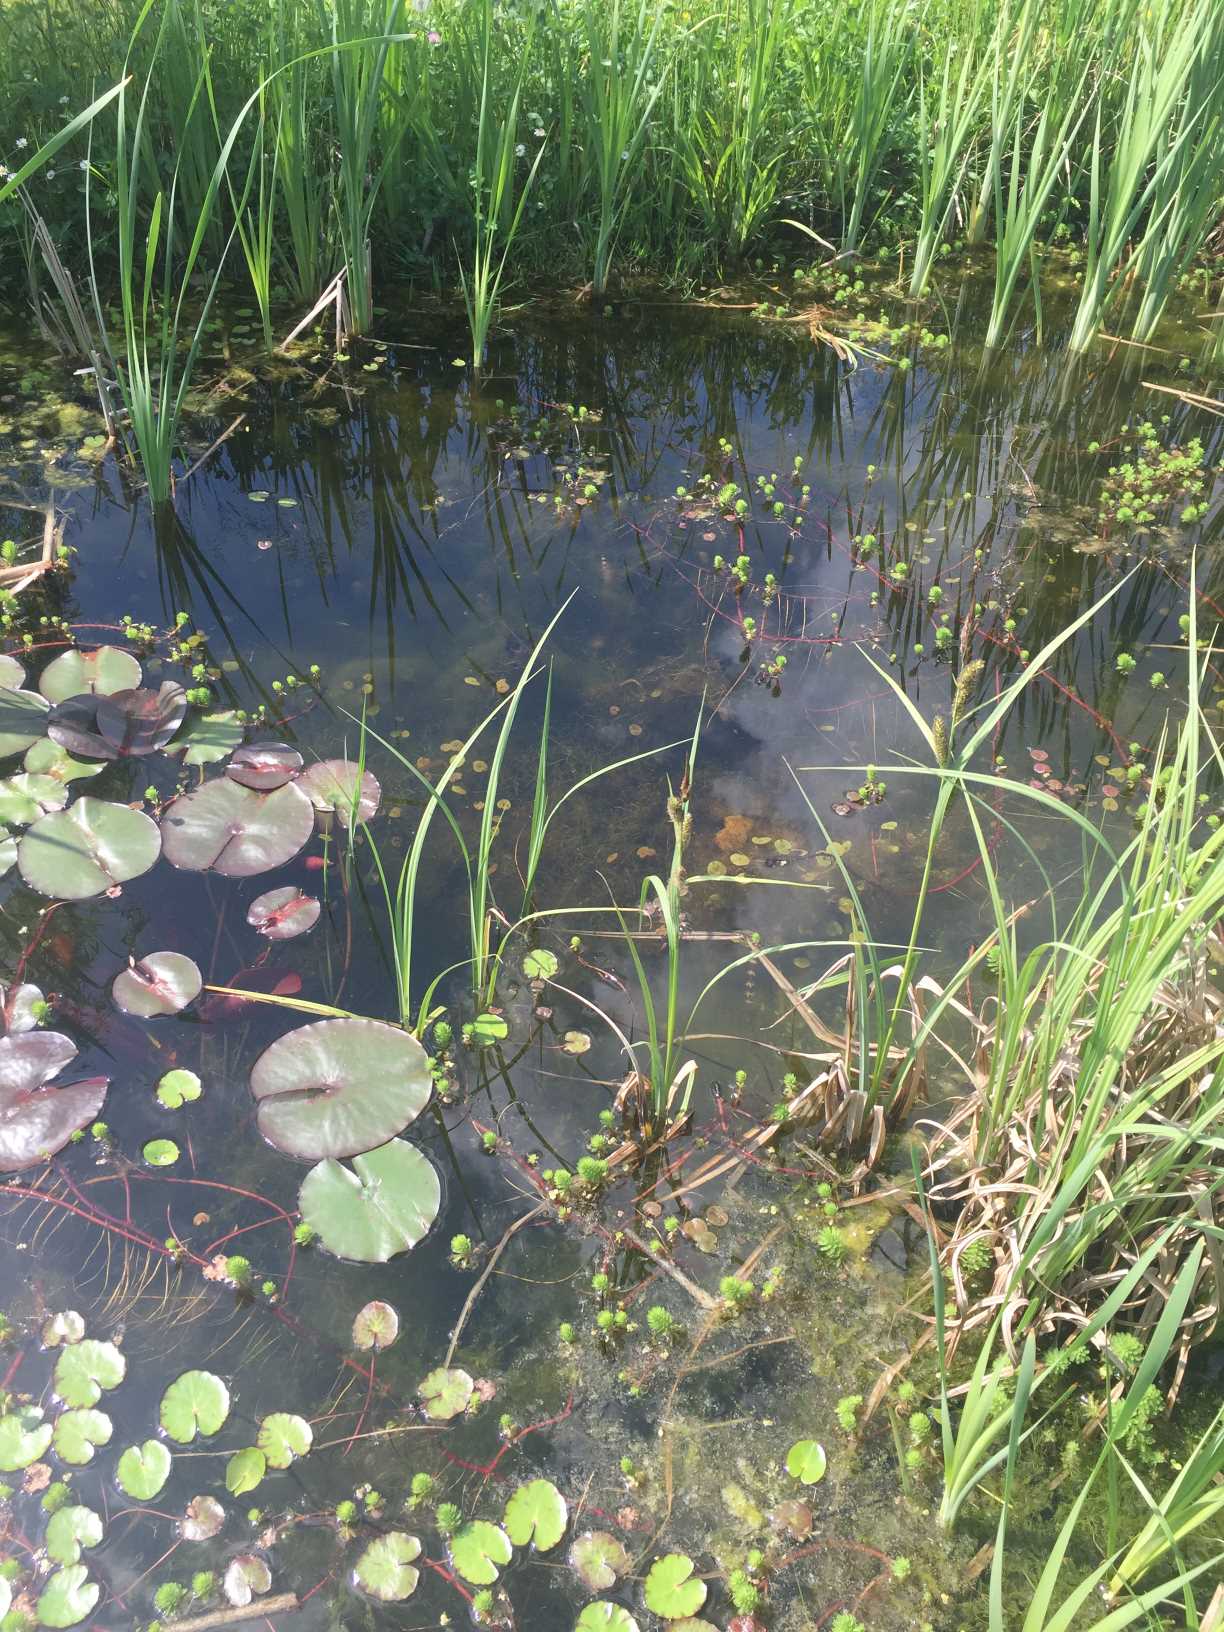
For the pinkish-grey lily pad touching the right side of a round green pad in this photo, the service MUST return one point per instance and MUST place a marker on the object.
(236, 832)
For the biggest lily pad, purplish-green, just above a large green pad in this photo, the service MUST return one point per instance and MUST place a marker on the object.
(339, 1088)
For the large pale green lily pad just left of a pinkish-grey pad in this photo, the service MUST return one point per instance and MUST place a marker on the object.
(87, 849)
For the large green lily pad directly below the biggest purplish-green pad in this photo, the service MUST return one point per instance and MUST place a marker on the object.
(379, 1207)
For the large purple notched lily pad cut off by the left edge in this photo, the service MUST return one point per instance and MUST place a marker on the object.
(38, 1119)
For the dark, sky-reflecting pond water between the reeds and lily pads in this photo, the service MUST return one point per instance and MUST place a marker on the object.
(414, 534)
